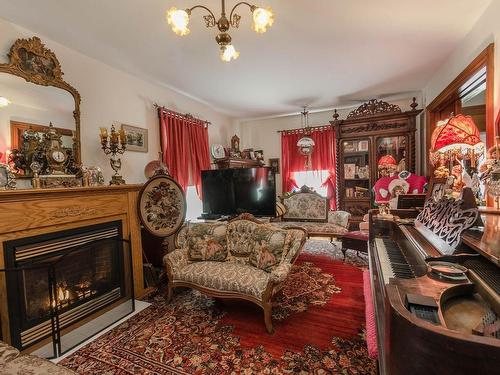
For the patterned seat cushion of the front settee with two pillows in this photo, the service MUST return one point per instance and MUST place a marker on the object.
(226, 276)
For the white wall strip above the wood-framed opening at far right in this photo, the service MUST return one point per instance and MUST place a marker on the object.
(485, 31)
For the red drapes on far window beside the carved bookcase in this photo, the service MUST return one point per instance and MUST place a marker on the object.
(323, 158)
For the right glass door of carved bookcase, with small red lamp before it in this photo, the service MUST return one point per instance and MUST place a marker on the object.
(391, 155)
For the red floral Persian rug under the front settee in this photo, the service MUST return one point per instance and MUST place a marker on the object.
(318, 320)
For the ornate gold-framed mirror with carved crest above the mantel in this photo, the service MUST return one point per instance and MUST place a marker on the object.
(34, 95)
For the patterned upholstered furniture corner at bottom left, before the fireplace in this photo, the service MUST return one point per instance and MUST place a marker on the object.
(12, 362)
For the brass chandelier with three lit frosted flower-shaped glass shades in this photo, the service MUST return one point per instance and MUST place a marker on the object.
(262, 19)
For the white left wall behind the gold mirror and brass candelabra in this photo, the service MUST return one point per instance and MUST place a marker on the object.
(109, 95)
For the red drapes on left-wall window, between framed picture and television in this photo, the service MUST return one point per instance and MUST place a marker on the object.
(184, 143)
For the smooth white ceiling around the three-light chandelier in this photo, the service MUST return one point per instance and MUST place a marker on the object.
(320, 53)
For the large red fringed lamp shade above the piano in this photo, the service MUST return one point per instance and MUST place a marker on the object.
(456, 136)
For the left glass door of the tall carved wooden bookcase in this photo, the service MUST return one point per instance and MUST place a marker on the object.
(356, 168)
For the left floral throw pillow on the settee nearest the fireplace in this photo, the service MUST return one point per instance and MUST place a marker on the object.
(207, 242)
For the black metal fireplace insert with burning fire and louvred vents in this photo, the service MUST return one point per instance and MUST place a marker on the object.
(77, 272)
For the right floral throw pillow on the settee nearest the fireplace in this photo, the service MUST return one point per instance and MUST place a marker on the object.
(270, 246)
